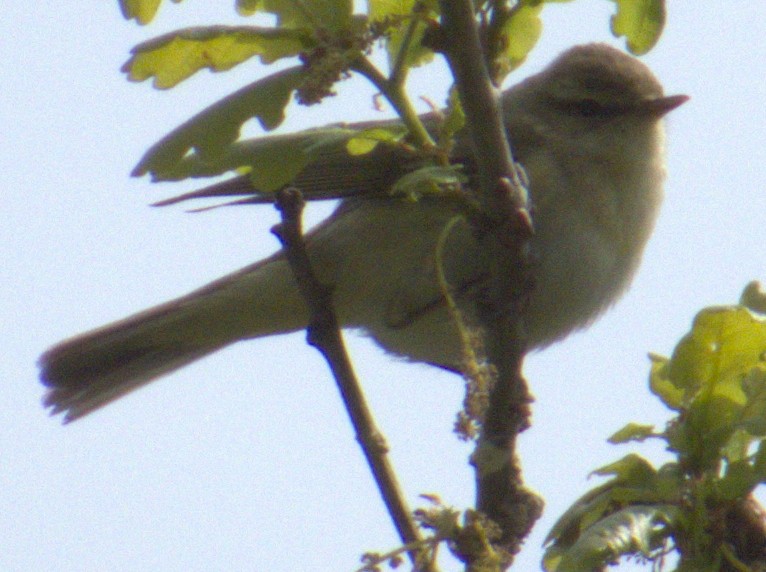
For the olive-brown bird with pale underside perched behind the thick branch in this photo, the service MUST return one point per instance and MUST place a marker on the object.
(588, 131)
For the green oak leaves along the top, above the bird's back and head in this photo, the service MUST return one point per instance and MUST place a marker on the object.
(326, 41)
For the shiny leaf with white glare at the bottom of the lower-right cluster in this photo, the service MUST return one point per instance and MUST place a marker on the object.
(630, 531)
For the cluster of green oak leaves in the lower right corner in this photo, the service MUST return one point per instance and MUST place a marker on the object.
(699, 504)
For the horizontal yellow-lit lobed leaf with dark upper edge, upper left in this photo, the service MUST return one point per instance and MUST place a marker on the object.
(174, 57)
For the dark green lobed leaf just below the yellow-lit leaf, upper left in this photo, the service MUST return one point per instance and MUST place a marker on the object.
(212, 131)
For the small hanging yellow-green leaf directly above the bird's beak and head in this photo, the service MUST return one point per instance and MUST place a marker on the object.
(640, 21)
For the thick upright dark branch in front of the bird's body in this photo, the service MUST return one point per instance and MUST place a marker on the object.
(505, 233)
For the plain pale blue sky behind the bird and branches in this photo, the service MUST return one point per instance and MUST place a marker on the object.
(245, 461)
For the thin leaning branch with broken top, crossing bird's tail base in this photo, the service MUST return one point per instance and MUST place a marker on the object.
(324, 334)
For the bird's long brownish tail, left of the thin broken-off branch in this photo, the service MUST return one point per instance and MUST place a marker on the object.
(91, 370)
